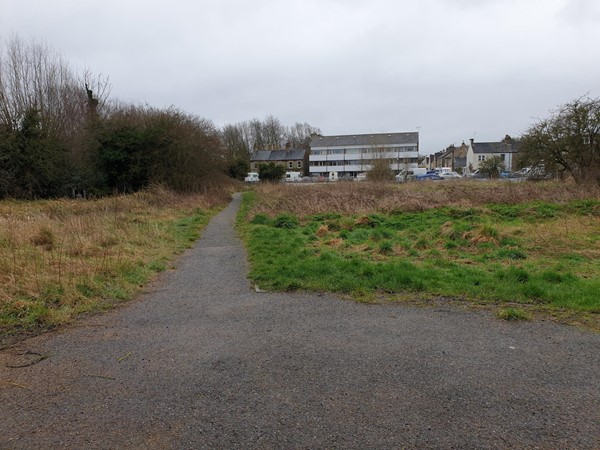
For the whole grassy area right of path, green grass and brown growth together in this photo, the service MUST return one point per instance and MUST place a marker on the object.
(525, 243)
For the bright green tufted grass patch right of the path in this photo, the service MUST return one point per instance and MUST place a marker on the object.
(533, 253)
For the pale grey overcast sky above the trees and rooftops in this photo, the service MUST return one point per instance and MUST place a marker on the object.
(451, 69)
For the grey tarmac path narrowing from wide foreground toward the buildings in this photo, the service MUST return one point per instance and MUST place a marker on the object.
(203, 361)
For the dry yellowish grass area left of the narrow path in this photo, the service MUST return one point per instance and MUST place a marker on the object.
(61, 258)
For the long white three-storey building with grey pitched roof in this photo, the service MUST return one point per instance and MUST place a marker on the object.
(350, 155)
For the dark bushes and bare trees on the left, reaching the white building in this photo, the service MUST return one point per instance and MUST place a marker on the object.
(61, 135)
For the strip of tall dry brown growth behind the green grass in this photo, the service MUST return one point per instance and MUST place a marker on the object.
(363, 197)
